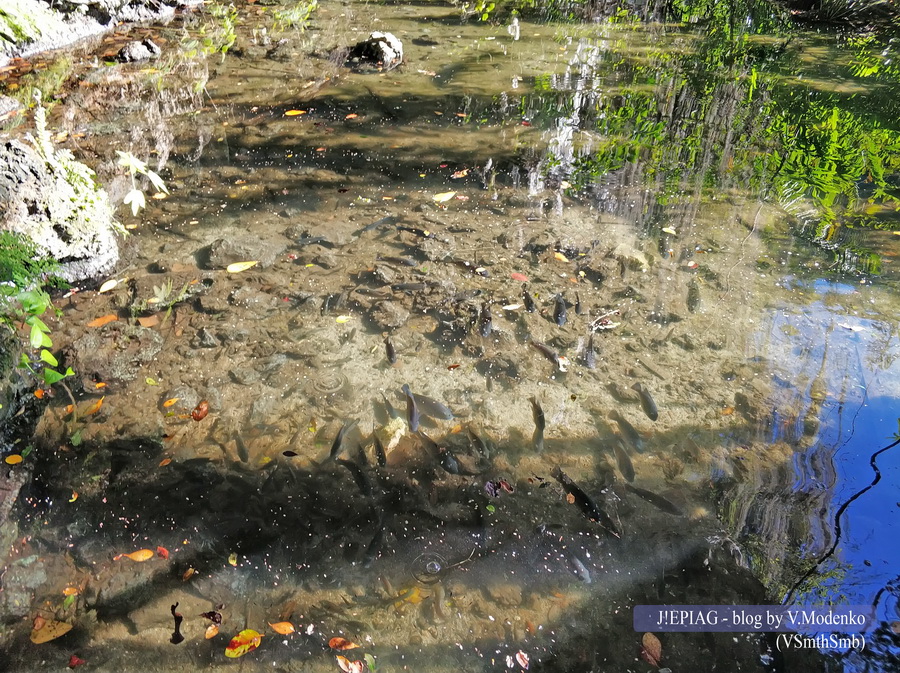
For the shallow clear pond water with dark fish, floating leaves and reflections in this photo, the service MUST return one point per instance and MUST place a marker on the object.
(521, 223)
